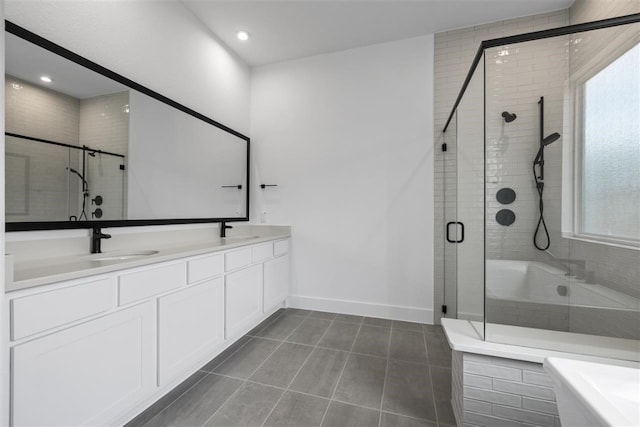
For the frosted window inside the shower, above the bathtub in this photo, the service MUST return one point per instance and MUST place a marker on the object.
(609, 165)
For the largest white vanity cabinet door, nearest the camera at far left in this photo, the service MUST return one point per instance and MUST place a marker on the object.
(87, 374)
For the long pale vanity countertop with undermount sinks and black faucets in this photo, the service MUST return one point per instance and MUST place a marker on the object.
(44, 271)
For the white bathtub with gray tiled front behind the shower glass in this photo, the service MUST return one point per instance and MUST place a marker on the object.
(533, 294)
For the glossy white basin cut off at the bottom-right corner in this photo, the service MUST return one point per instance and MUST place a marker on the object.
(595, 394)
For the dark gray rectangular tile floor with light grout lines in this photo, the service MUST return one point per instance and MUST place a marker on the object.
(306, 368)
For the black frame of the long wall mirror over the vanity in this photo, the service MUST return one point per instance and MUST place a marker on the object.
(67, 225)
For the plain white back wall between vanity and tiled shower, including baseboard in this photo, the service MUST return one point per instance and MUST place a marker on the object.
(348, 139)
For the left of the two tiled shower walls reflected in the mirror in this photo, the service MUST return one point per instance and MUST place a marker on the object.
(36, 176)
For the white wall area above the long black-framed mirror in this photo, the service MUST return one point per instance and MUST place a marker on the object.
(160, 45)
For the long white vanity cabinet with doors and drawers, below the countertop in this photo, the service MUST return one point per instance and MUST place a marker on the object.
(98, 350)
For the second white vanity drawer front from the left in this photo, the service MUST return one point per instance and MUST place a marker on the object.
(146, 283)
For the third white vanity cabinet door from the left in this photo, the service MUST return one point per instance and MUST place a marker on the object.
(243, 299)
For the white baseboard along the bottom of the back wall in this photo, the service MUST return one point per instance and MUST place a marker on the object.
(383, 311)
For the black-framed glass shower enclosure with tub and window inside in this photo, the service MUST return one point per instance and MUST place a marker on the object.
(540, 202)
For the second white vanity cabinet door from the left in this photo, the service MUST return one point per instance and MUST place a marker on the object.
(190, 324)
